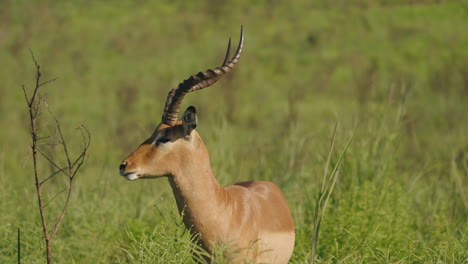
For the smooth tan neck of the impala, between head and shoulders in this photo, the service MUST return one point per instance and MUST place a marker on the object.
(199, 196)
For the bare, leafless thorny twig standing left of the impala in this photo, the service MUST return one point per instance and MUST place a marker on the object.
(35, 103)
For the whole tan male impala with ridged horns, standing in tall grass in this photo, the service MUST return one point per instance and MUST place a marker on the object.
(242, 214)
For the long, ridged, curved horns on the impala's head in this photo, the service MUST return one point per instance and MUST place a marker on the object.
(199, 81)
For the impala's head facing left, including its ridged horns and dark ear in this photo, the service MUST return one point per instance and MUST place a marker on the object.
(175, 143)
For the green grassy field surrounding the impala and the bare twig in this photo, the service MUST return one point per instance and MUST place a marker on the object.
(393, 74)
